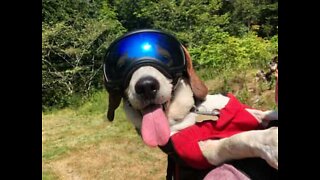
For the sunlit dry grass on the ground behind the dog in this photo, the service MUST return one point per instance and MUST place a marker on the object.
(79, 143)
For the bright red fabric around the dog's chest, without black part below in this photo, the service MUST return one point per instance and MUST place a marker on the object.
(233, 119)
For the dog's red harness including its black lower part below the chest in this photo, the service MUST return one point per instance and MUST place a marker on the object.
(184, 154)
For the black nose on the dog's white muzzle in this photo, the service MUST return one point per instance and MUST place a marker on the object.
(147, 87)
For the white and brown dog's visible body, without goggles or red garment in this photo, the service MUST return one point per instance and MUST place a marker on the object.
(161, 108)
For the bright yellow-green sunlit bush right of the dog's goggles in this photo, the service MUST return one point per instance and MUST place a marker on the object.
(236, 54)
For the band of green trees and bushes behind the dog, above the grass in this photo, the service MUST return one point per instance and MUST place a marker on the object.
(222, 36)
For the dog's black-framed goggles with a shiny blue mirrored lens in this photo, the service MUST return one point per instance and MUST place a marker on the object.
(139, 48)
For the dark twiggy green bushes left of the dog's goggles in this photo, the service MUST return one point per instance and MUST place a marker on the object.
(73, 44)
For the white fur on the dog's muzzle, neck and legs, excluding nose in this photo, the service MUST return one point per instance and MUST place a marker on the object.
(255, 143)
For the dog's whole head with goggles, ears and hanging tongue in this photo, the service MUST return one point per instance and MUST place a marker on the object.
(149, 84)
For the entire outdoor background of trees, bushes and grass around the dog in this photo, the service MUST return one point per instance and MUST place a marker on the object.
(229, 41)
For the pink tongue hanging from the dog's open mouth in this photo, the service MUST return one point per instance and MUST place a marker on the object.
(155, 127)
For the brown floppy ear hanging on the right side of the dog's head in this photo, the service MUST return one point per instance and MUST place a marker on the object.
(200, 90)
